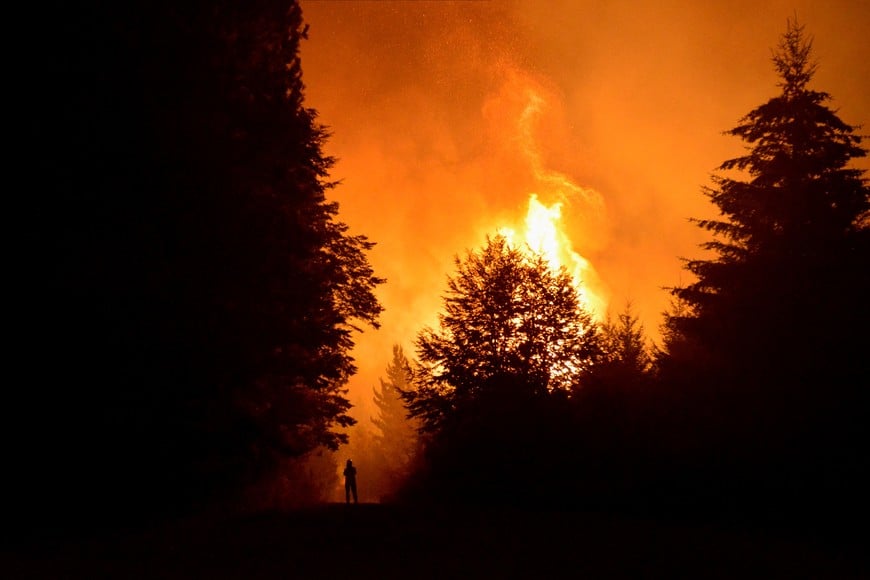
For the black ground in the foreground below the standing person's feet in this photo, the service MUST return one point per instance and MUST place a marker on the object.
(380, 541)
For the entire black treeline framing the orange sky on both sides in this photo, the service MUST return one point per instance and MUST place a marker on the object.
(186, 297)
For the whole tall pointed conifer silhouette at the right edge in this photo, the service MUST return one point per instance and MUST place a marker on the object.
(763, 336)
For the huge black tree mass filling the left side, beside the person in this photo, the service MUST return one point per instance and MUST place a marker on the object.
(196, 283)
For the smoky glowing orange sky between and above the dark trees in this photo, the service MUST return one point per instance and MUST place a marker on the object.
(426, 103)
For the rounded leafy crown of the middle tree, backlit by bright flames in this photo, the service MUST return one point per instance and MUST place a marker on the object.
(508, 317)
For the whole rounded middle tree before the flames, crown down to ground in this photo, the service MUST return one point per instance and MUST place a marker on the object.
(492, 383)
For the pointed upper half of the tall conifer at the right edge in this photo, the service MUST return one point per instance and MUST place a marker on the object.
(800, 191)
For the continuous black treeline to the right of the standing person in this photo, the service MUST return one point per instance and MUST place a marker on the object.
(754, 402)
